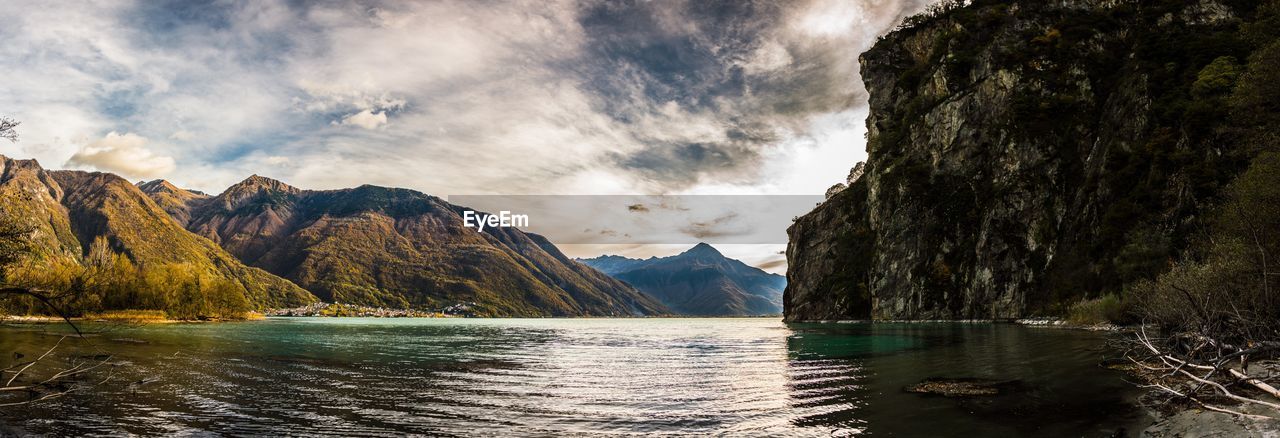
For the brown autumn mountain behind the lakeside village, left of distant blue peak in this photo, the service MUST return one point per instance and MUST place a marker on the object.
(403, 249)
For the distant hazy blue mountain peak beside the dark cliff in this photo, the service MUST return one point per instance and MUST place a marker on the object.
(700, 282)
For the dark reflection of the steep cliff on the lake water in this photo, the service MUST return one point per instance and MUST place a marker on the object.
(1052, 382)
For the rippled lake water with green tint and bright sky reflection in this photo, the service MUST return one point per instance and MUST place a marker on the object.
(555, 377)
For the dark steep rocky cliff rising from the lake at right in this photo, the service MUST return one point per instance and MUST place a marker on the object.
(1022, 156)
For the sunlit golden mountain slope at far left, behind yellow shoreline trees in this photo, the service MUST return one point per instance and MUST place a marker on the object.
(71, 209)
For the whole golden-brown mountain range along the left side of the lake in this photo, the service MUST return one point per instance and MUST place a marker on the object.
(287, 247)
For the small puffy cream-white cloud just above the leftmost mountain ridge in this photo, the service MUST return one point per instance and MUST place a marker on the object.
(126, 154)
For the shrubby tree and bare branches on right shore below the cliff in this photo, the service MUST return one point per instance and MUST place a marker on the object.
(1219, 314)
